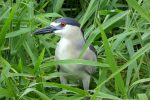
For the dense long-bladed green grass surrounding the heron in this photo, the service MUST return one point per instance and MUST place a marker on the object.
(118, 29)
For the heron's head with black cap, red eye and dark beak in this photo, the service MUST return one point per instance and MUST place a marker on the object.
(64, 27)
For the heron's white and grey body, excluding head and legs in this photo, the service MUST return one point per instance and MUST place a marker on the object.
(62, 53)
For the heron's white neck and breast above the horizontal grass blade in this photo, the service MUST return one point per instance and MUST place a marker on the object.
(69, 47)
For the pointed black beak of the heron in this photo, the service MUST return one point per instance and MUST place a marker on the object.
(49, 29)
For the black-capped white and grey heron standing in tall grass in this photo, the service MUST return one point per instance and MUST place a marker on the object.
(69, 47)
